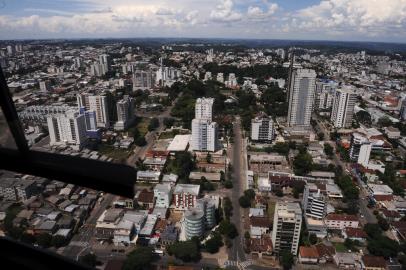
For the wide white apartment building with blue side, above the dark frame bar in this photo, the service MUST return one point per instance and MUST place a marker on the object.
(67, 129)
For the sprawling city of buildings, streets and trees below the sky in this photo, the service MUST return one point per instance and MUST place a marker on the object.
(246, 153)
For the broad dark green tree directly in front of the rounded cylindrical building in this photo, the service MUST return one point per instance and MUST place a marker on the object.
(186, 251)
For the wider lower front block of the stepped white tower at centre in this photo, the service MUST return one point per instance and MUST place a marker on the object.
(204, 135)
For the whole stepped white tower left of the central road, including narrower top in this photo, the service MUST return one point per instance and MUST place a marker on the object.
(204, 130)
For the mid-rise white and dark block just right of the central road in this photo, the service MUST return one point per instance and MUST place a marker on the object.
(262, 128)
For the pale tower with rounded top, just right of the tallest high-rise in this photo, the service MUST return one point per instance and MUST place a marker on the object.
(343, 107)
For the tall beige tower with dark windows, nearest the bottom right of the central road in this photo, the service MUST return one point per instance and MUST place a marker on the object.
(286, 227)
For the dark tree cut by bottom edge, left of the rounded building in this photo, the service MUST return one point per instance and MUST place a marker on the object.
(139, 259)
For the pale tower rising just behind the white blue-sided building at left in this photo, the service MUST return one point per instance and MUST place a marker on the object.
(98, 104)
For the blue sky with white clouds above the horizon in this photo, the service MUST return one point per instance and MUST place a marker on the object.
(343, 20)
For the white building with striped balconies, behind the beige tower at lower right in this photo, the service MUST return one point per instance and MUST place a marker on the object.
(314, 203)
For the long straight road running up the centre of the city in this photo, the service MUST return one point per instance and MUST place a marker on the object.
(236, 252)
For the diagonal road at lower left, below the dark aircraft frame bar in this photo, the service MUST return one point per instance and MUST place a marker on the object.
(80, 243)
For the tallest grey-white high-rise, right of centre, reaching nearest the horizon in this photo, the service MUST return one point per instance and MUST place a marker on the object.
(301, 96)
